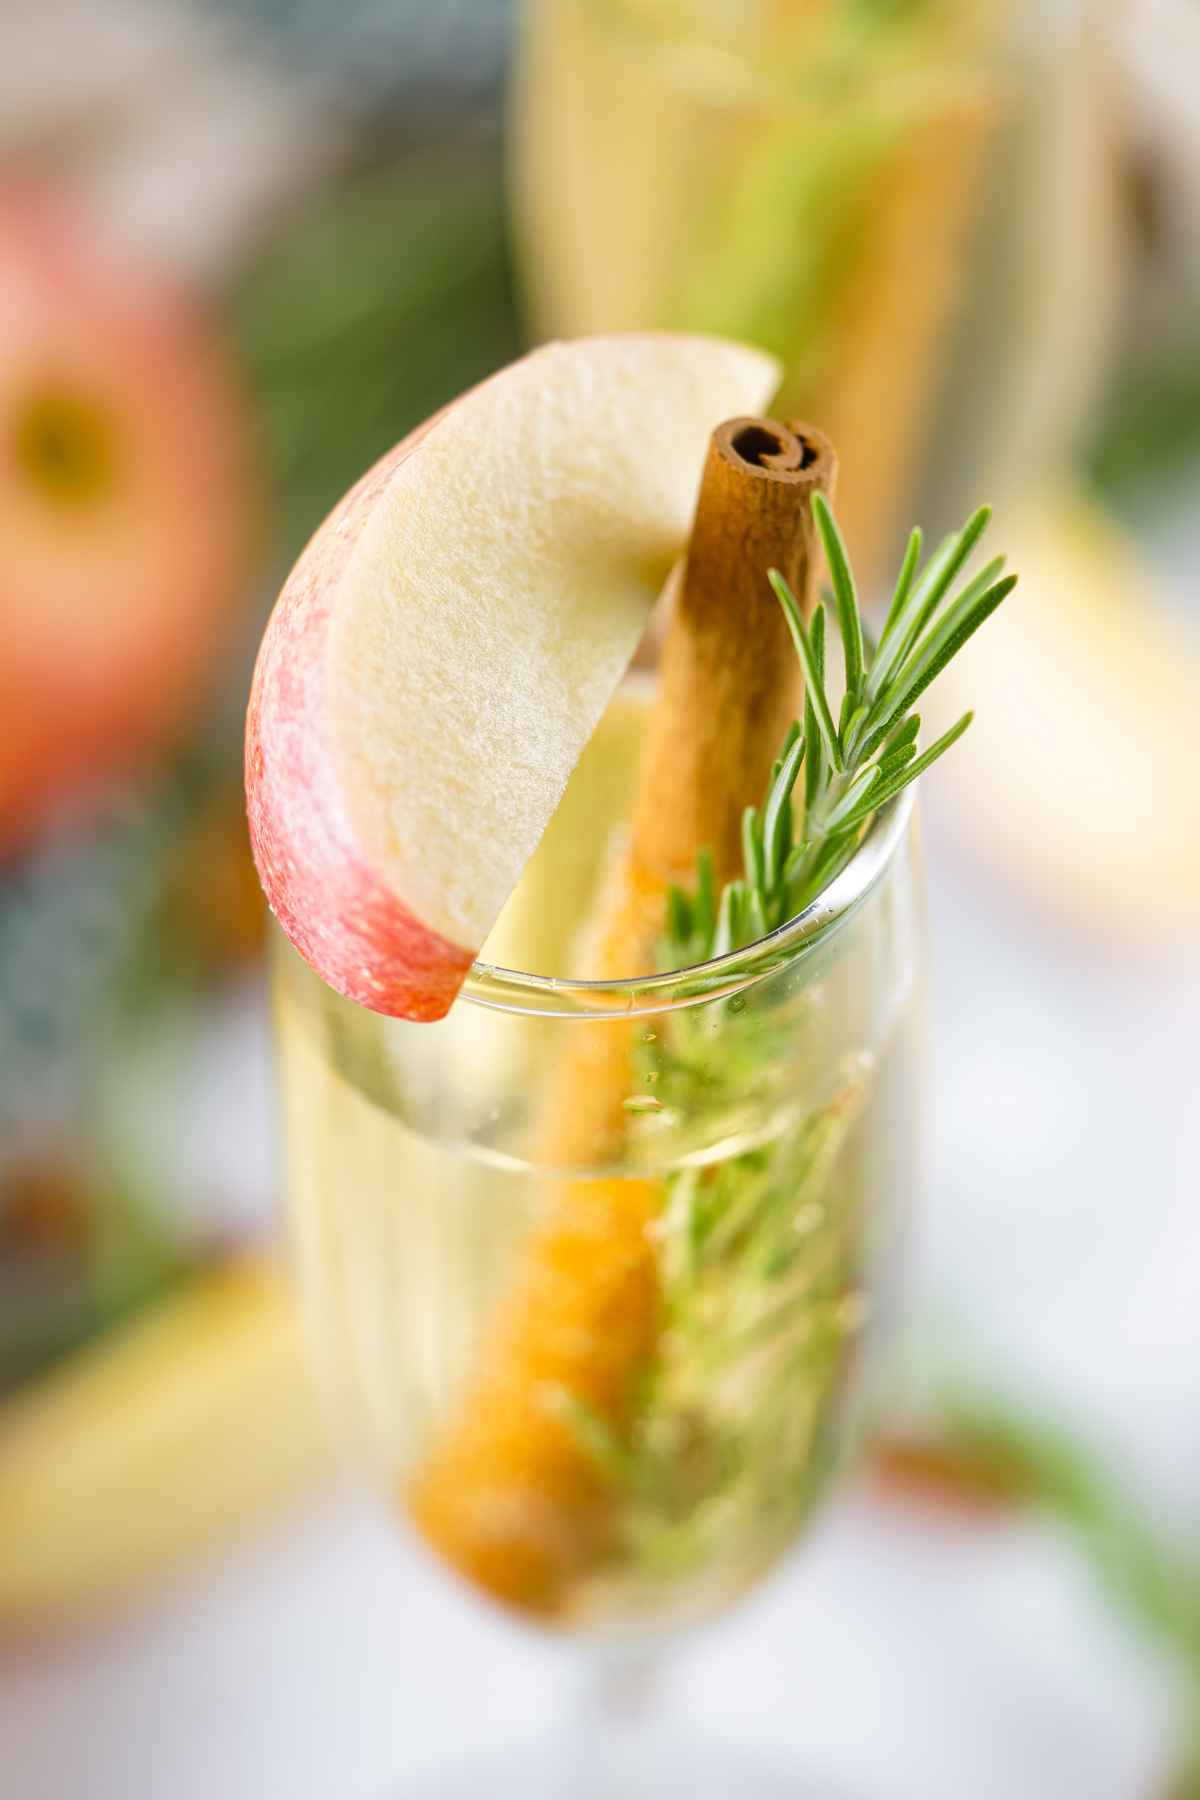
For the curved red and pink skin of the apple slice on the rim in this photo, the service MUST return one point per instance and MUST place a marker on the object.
(334, 908)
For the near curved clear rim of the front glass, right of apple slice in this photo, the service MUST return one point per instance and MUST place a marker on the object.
(636, 996)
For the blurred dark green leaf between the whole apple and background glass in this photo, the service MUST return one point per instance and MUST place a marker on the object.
(379, 303)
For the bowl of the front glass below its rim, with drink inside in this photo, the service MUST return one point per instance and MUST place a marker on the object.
(611, 1387)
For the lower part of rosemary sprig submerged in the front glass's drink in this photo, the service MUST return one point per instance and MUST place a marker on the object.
(726, 1450)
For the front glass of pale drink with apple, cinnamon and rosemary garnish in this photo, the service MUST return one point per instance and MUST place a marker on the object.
(600, 967)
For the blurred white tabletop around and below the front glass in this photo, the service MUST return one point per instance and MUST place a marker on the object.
(908, 1659)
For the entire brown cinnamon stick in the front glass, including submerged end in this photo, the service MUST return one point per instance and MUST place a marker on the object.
(510, 1495)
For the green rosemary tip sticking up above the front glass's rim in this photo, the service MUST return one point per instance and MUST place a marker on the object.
(852, 768)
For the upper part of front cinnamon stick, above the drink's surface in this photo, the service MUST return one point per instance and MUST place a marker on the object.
(728, 692)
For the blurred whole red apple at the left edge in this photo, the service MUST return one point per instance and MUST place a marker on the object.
(127, 508)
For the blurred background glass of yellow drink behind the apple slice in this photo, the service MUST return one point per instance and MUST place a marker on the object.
(911, 202)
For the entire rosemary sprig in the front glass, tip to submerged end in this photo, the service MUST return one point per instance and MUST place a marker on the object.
(760, 1254)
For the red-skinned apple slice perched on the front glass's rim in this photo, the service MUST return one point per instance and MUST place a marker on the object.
(451, 640)
